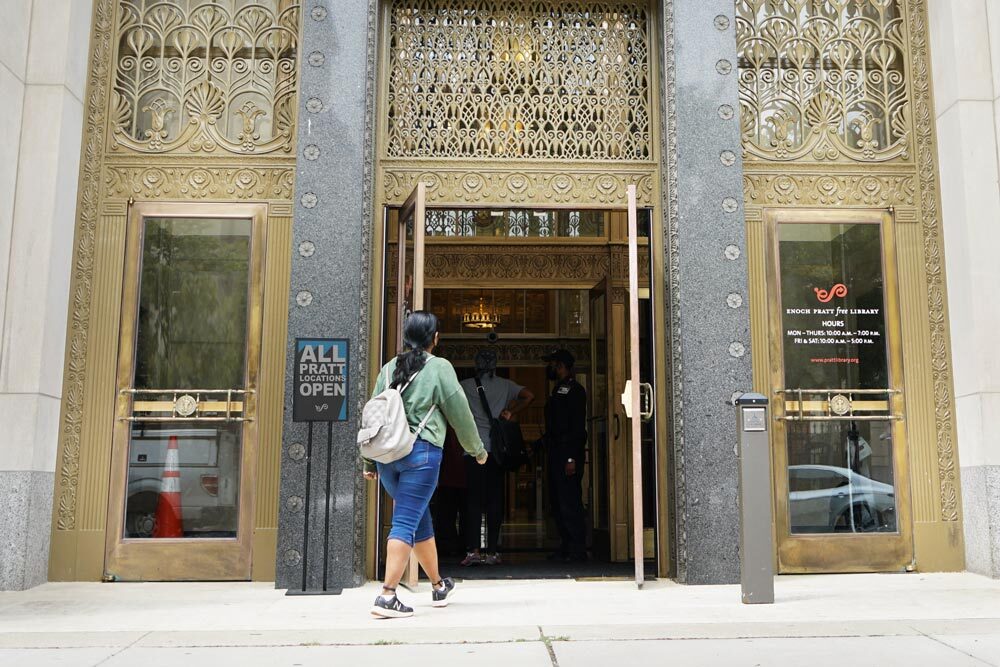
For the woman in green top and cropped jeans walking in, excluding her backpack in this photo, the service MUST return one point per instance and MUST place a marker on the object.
(429, 382)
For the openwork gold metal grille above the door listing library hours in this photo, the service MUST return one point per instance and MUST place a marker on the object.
(823, 80)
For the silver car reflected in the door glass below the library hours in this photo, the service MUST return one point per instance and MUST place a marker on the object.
(831, 499)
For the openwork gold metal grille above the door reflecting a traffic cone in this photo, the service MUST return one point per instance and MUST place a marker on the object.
(200, 75)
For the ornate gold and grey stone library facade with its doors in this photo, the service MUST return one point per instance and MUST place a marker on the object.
(704, 197)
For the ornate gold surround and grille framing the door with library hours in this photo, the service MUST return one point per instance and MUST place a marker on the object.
(836, 113)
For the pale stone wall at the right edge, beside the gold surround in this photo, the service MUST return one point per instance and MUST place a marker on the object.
(965, 40)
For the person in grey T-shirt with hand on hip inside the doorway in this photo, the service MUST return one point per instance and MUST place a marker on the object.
(485, 484)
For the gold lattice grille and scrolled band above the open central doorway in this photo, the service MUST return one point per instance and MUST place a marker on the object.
(518, 102)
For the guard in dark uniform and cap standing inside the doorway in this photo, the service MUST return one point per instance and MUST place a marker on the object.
(565, 441)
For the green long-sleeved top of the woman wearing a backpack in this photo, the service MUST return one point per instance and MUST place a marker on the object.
(436, 384)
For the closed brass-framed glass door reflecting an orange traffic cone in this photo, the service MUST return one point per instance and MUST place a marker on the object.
(183, 457)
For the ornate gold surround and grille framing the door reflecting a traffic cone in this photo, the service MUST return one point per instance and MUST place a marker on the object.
(187, 101)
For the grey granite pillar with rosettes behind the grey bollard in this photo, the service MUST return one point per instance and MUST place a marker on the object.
(707, 265)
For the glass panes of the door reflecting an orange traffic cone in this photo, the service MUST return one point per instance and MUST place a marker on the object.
(191, 335)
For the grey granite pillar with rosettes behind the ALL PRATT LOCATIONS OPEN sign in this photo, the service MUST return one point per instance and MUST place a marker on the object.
(320, 542)
